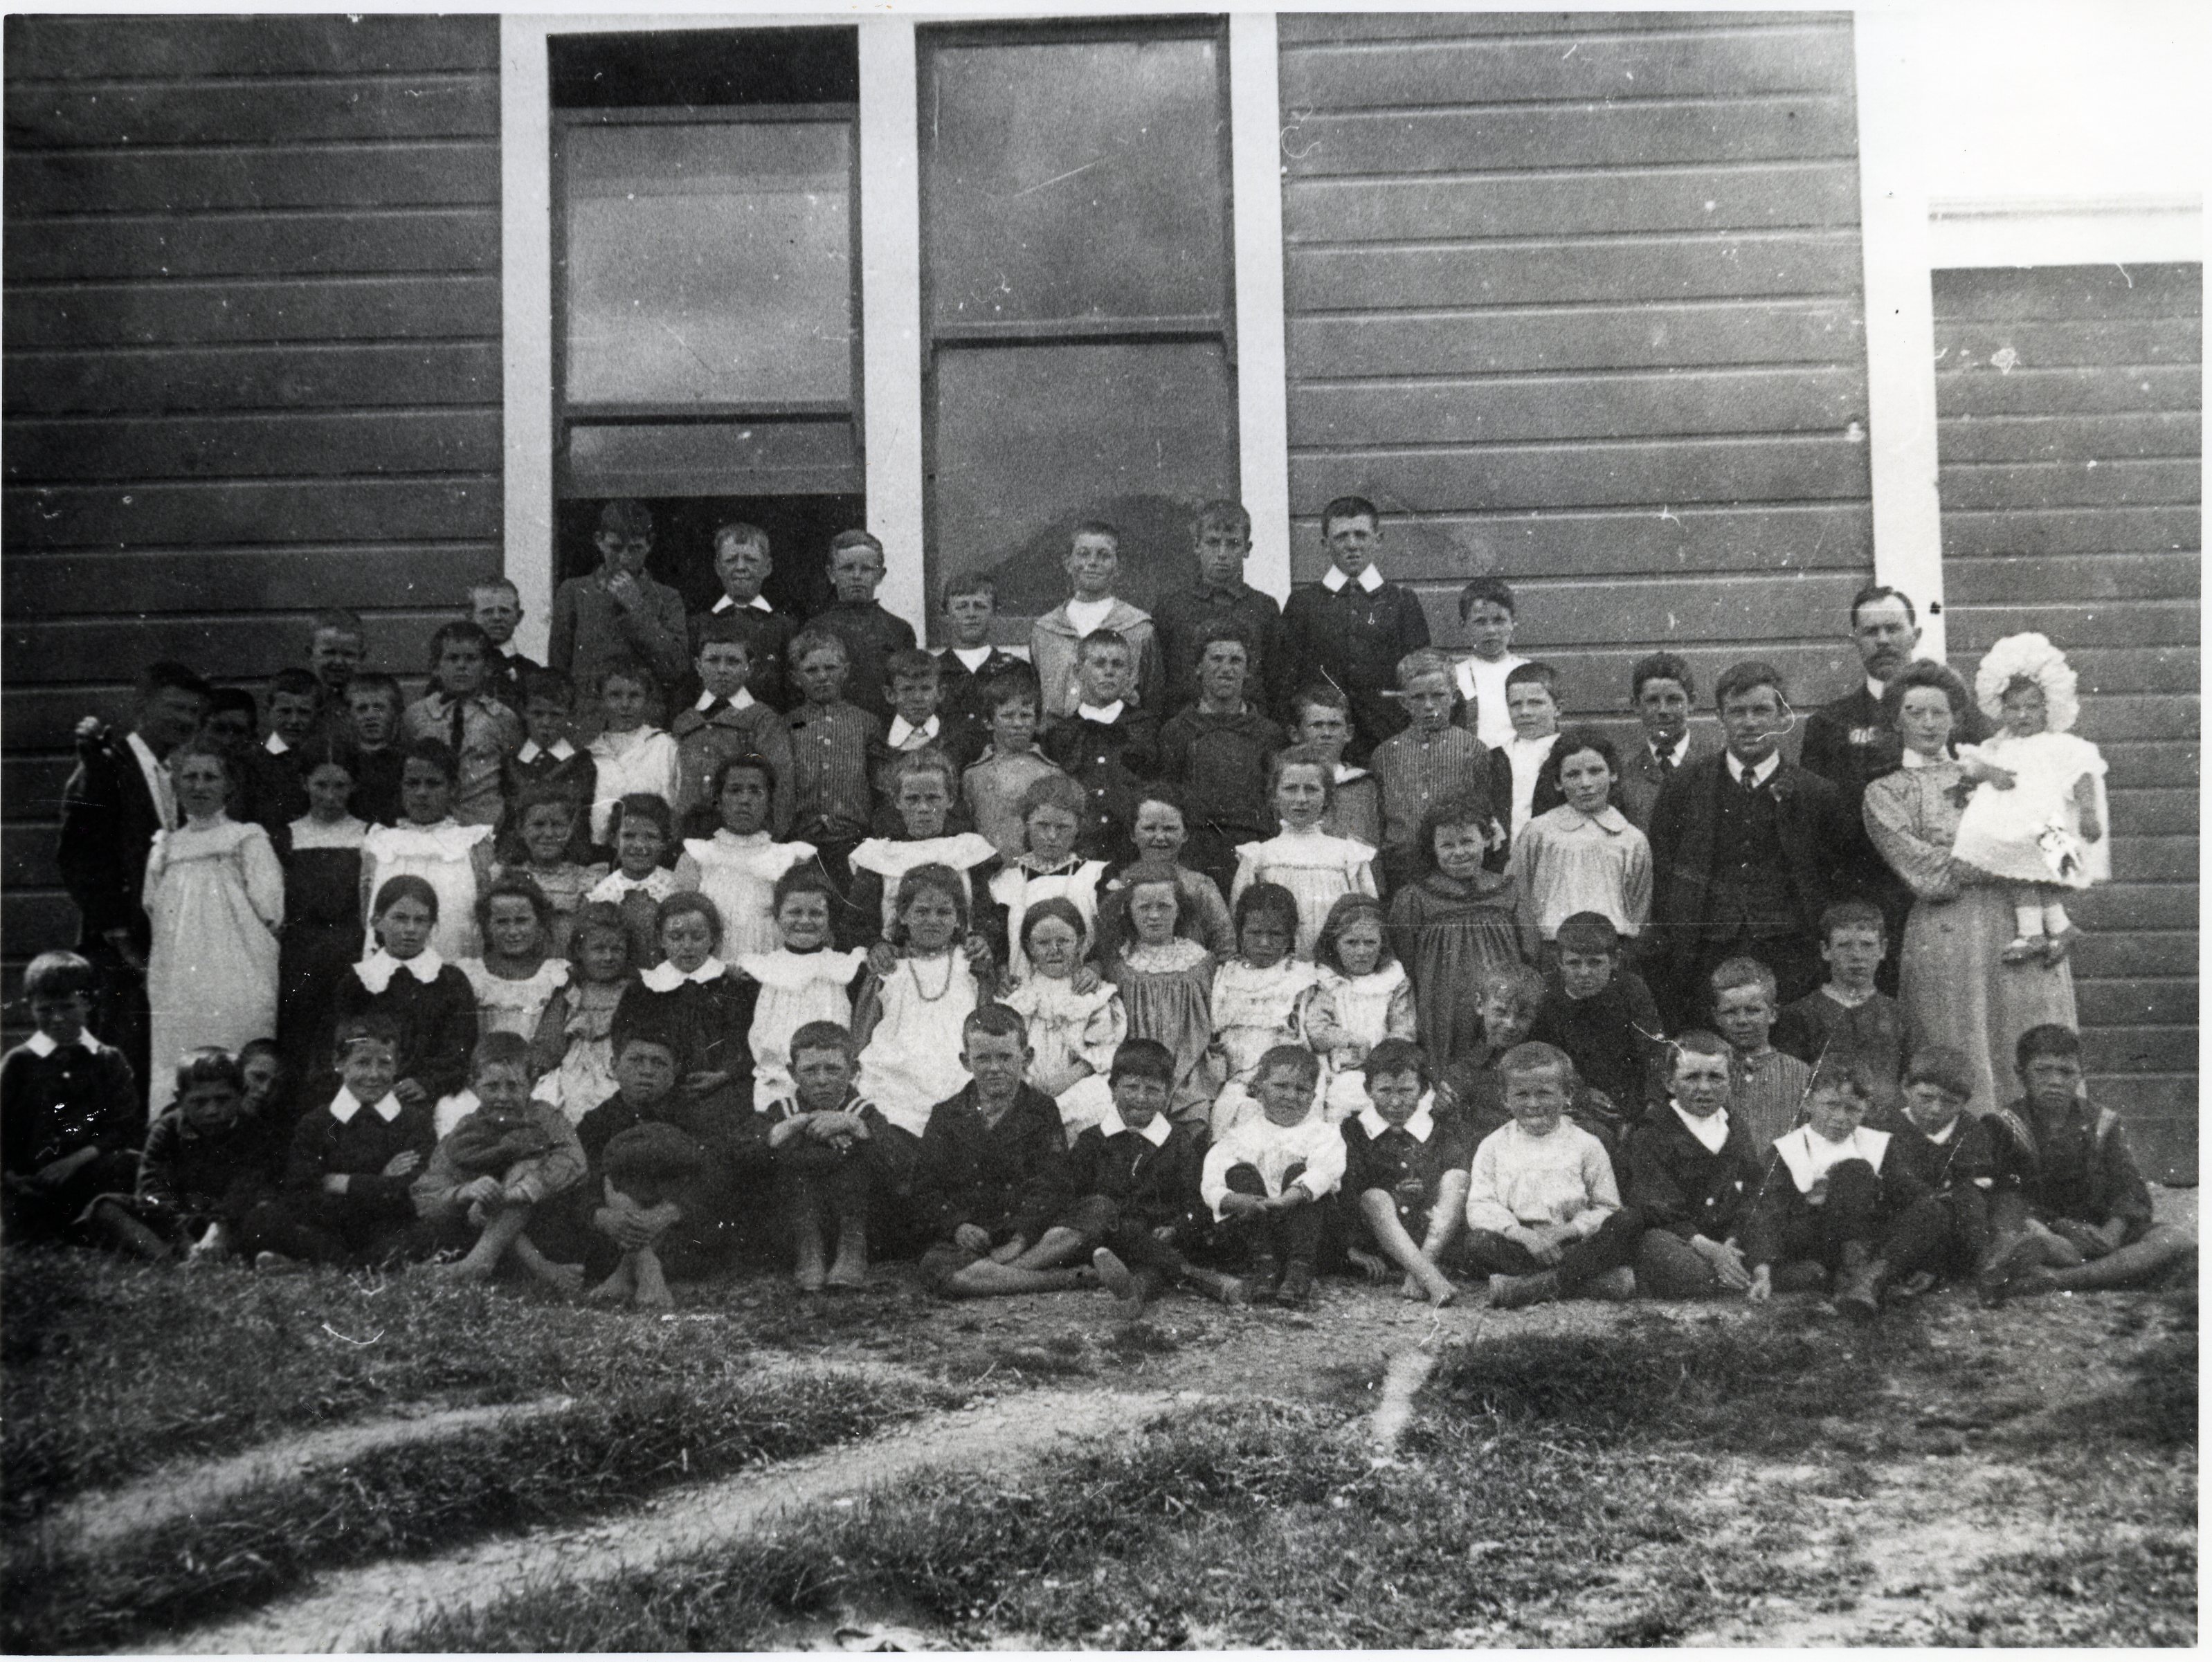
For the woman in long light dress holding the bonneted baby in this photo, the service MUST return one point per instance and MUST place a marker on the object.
(1952, 980)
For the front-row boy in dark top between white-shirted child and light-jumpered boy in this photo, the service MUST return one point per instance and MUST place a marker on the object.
(1408, 1175)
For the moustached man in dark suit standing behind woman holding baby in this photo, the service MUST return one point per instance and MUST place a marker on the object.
(1850, 746)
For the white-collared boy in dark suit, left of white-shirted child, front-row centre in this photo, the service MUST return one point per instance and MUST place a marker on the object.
(1136, 1179)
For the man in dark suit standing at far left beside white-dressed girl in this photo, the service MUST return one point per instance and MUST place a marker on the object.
(112, 810)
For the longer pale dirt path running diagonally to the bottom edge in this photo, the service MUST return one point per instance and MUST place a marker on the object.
(353, 1610)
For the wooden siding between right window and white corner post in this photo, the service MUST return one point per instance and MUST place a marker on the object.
(1576, 299)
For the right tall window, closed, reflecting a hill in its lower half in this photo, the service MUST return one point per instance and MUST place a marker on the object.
(1076, 297)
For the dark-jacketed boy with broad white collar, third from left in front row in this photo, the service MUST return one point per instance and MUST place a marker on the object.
(346, 1186)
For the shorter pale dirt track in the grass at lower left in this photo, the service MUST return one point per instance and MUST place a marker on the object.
(180, 1491)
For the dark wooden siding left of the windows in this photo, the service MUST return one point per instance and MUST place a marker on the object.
(253, 364)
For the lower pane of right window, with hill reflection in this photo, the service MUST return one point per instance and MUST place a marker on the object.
(1034, 439)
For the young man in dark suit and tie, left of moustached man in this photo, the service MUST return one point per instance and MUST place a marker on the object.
(1744, 854)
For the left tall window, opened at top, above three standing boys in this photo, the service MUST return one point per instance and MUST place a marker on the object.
(707, 299)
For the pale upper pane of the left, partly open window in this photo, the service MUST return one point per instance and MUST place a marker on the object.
(709, 264)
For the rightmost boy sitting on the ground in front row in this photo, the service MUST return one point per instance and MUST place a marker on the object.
(2080, 1217)
